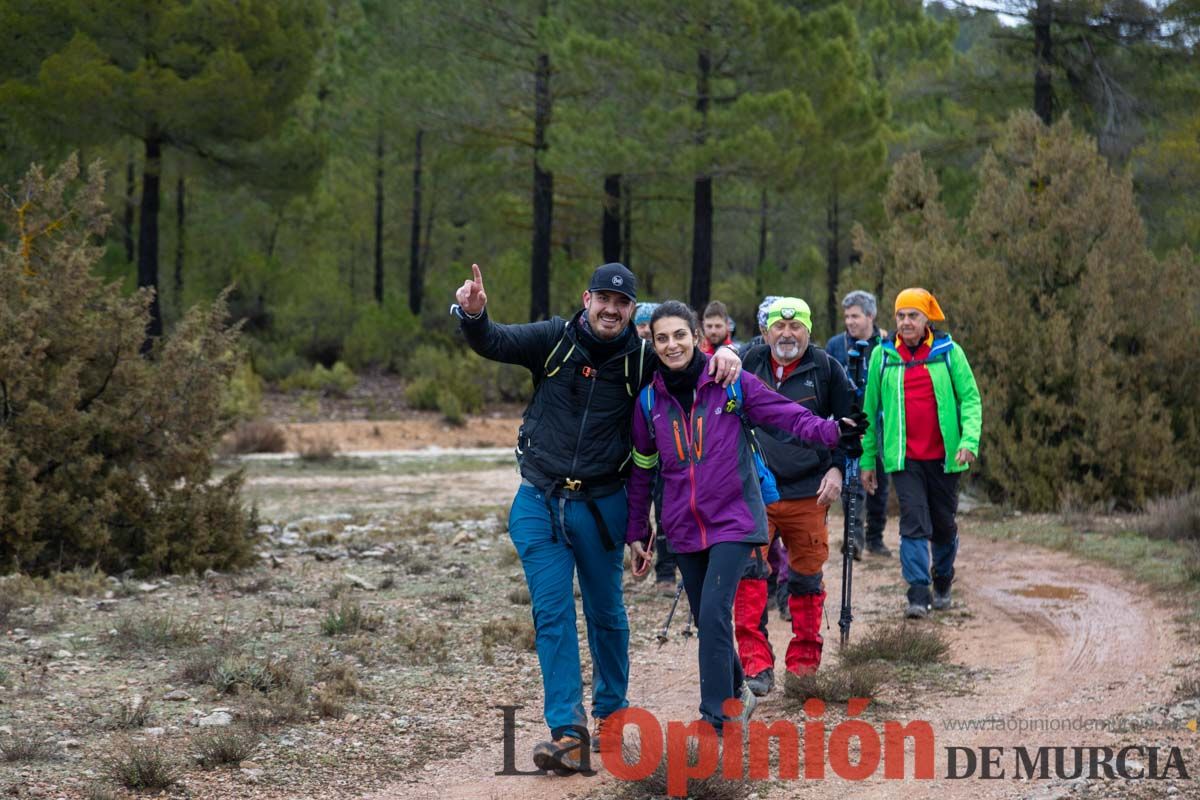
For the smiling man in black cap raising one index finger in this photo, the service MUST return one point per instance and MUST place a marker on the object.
(569, 515)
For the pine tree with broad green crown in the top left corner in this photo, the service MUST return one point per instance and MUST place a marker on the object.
(172, 75)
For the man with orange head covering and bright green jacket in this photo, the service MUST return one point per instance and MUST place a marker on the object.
(932, 420)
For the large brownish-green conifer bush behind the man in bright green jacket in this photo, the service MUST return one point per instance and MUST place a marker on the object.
(1087, 396)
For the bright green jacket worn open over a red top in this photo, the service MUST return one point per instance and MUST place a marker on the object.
(959, 411)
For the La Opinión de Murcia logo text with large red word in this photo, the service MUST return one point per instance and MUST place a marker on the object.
(692, 751)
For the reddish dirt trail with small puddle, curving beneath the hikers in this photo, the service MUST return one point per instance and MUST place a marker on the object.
(1045, 636)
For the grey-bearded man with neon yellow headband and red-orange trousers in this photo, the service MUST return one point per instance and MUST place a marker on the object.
(809, 480)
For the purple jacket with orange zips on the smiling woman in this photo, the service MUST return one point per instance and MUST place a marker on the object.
(711, 489)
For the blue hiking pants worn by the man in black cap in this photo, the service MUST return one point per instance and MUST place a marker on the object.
(551, 554)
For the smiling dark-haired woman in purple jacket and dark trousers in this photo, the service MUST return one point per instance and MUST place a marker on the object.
(713, 513)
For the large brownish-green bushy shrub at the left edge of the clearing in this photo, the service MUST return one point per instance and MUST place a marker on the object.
(107, 452)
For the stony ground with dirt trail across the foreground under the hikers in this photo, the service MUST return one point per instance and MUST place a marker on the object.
(365, 655)
